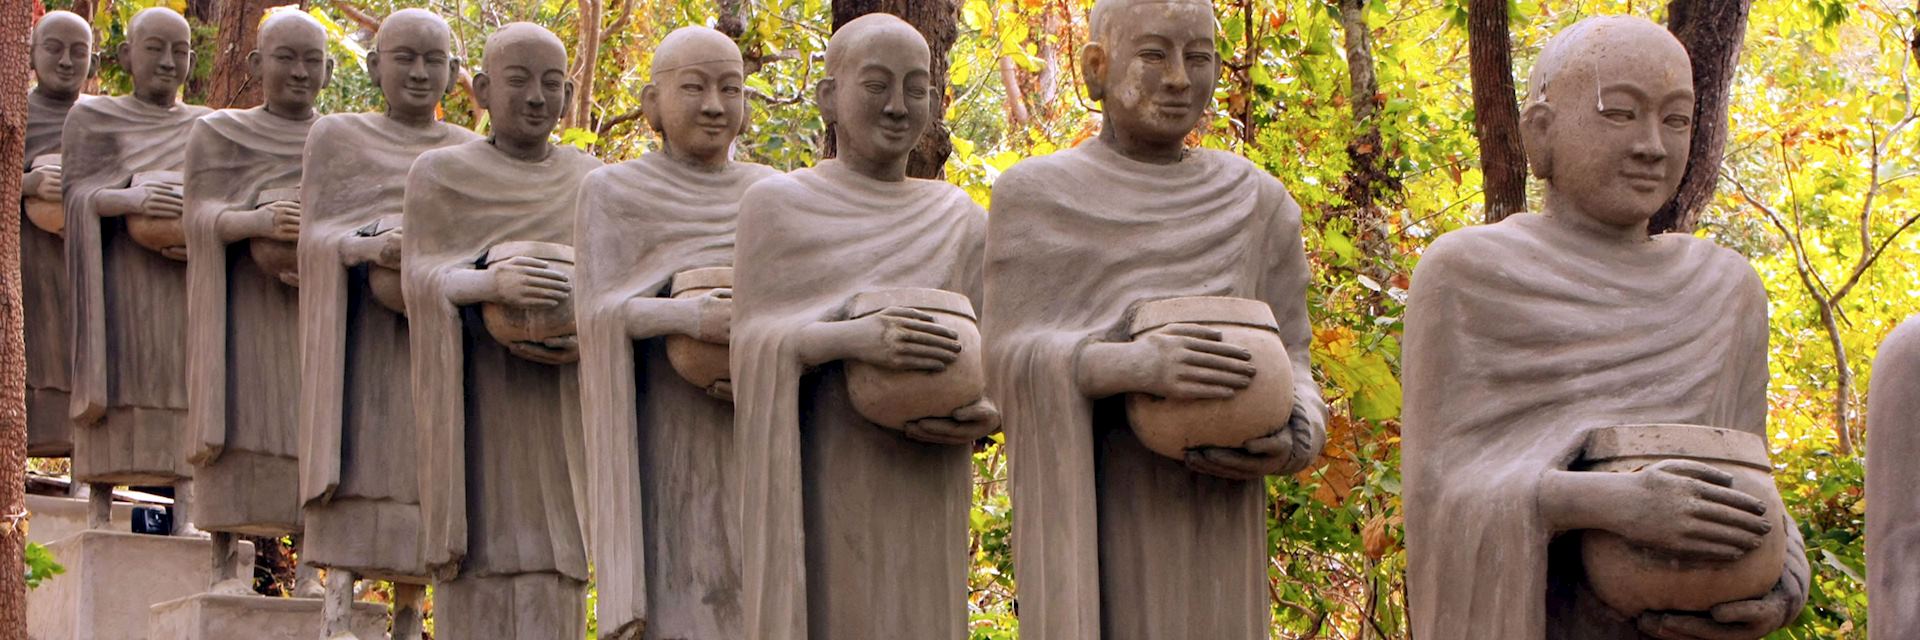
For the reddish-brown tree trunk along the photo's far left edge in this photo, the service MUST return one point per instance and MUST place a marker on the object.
(16, 34)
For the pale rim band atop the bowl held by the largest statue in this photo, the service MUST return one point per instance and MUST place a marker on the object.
(1677, 441)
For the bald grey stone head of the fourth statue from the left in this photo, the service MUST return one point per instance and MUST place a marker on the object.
(414, 62)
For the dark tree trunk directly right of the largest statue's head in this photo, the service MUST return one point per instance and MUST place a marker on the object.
(1714, 34)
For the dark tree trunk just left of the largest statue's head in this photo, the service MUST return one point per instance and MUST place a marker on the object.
(1497, 114)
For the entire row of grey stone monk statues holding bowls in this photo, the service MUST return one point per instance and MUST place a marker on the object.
(748, 399)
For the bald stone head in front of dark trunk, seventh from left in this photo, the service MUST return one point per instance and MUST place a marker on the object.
(878, 93)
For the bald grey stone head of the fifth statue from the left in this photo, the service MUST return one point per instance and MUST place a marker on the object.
(523, 84)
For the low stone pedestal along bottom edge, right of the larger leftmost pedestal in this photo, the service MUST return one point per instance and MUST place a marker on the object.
(254, 618)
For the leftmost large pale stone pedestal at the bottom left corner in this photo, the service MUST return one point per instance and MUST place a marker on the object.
(114, 579)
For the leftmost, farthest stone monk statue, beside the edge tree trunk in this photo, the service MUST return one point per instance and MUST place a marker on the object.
(62, 62)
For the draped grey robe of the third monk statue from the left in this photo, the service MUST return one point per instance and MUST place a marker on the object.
(243, 330)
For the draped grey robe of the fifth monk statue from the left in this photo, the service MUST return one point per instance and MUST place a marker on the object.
(502, 474)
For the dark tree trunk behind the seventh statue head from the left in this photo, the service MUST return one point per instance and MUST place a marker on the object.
(938, 22)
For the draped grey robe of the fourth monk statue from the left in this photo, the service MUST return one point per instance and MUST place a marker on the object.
(360, 495)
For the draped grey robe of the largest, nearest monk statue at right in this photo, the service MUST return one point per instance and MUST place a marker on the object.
(1524, 337)
